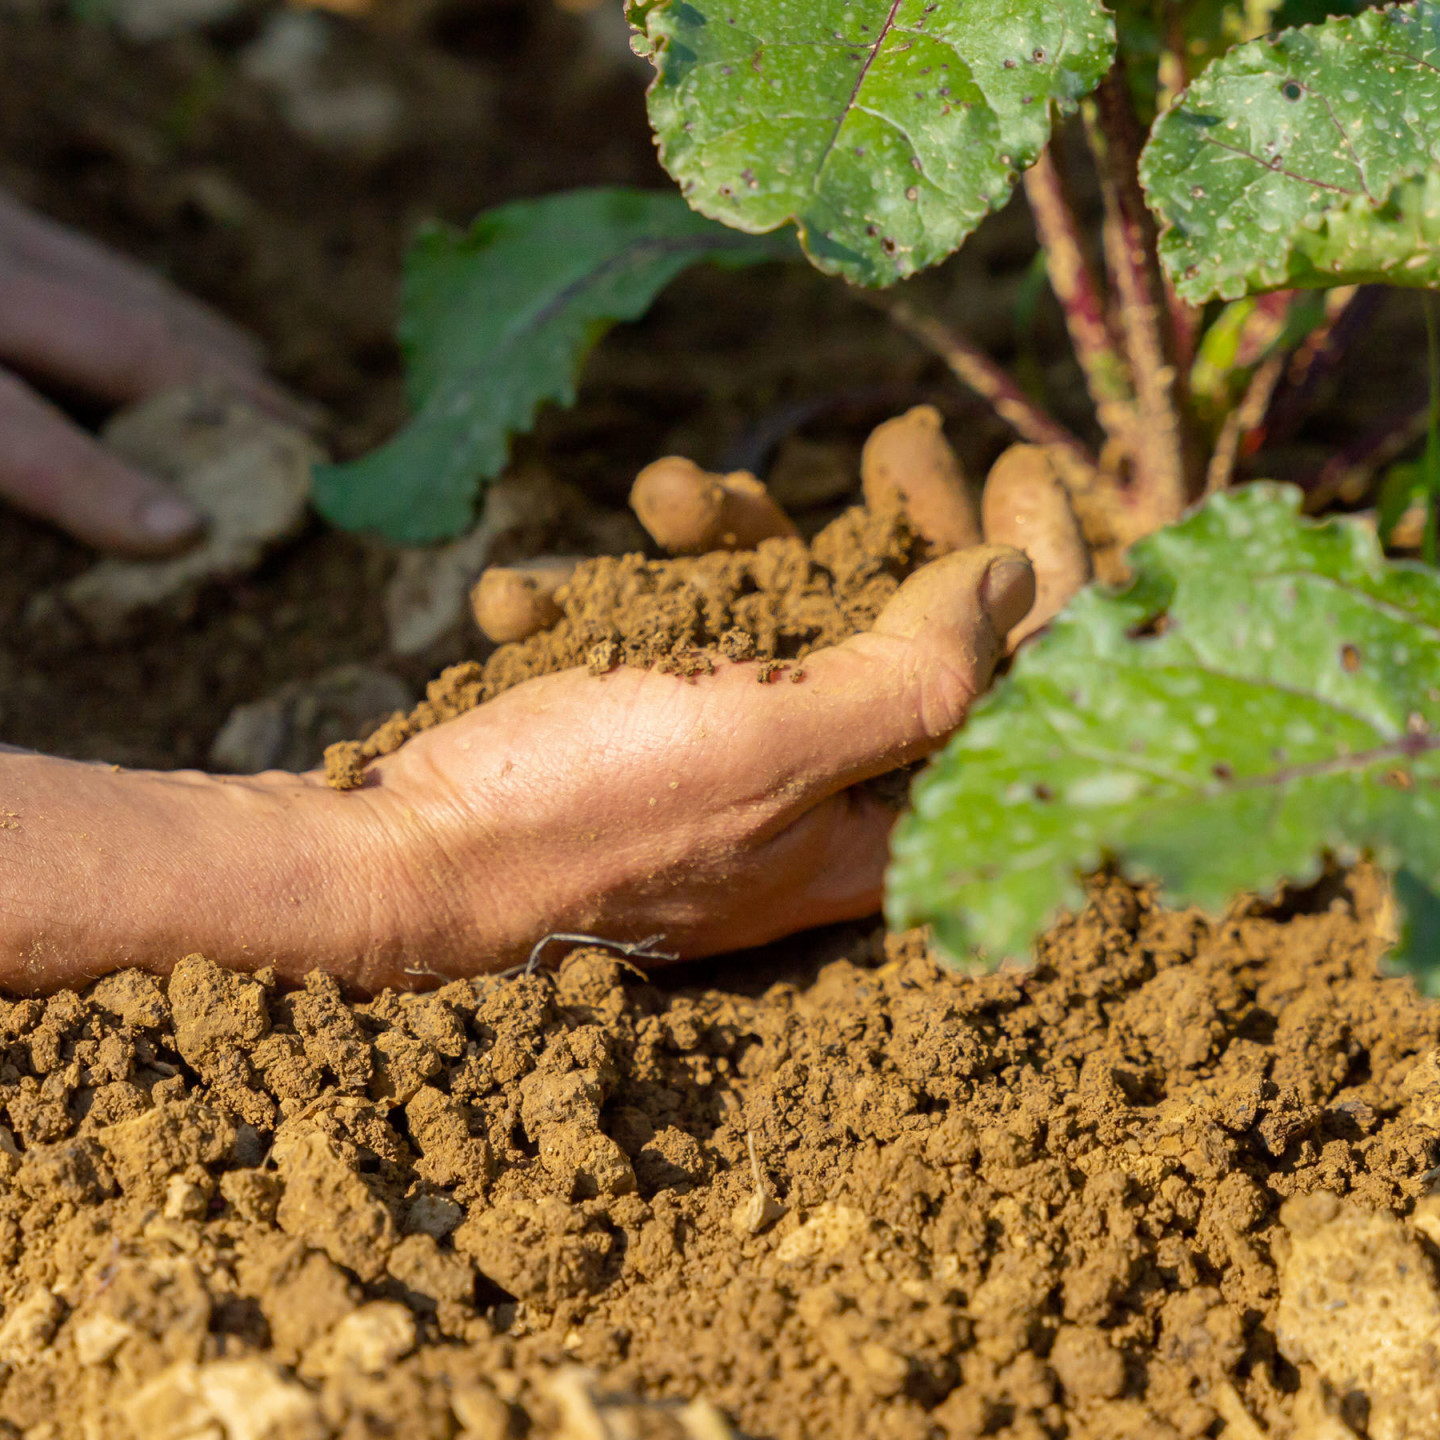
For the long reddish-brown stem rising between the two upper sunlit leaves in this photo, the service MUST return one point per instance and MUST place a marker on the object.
(1167, 462)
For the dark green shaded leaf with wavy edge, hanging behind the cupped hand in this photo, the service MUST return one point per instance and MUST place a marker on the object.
(499, 320)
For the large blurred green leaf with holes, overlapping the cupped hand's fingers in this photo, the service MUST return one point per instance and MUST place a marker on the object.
(1265, 692)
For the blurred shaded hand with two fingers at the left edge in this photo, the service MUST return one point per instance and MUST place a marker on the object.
(77, 316)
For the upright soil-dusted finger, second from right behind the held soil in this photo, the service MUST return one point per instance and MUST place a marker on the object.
(911, 459)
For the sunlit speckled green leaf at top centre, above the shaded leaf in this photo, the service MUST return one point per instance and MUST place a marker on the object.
(886, 130)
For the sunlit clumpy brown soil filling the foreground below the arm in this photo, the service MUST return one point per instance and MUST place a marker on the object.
(1101, 1200)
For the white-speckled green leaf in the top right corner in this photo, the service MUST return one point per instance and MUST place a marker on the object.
(1307, 161)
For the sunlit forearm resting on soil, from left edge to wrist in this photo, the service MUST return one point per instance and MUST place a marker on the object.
(103, 868)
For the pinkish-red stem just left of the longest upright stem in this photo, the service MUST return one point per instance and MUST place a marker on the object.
(1076, 287)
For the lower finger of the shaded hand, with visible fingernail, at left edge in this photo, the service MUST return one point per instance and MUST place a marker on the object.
(55, 472)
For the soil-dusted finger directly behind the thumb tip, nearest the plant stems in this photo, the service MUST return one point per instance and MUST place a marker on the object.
(1027, 506)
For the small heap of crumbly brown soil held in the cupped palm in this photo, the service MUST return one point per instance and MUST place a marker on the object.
(774, 604)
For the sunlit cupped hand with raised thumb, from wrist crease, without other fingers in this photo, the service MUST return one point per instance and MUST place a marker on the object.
(721, 813)
